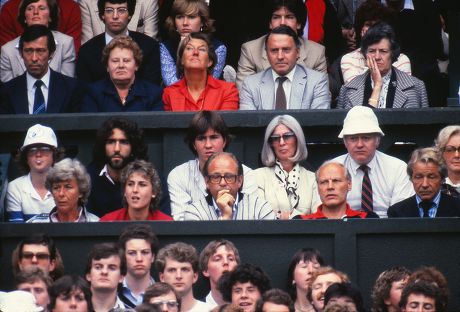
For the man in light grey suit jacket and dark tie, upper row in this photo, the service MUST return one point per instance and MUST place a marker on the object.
(303, 88)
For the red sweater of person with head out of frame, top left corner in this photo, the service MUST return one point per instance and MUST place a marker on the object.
(69, 21)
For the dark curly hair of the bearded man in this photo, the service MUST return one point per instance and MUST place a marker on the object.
(134, 135)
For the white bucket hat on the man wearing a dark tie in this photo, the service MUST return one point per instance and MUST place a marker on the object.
(360, 119)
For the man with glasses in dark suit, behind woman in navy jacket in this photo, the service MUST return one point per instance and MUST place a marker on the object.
(116, 15)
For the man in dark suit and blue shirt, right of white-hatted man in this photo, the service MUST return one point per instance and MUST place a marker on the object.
(426, 175)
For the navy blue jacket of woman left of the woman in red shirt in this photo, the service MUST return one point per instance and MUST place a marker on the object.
(103, 97)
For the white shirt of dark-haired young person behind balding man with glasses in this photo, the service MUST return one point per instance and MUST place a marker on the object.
(186, 185)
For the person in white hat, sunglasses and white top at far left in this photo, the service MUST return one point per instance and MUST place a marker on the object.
(28, 196)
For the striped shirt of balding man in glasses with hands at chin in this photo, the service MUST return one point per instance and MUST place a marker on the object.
(249, 207)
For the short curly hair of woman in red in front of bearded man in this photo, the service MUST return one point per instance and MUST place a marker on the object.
(150, 173)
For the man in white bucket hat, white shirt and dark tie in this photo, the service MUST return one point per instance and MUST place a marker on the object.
(378, 180)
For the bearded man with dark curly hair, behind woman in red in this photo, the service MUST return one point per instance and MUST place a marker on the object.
(118, 142)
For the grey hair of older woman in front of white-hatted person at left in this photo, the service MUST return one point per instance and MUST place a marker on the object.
(68, 169)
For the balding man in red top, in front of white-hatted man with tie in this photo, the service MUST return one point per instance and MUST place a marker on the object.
(334, 183)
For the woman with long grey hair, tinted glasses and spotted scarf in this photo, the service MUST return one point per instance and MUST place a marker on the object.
(289, 188)
